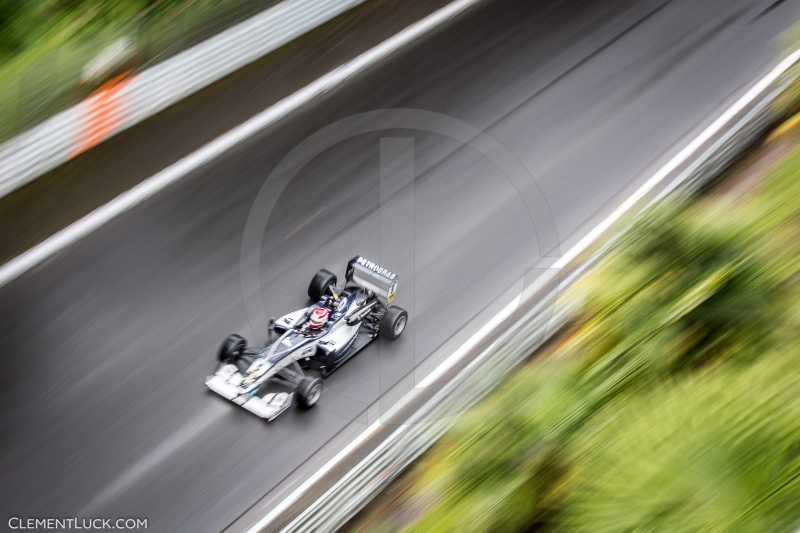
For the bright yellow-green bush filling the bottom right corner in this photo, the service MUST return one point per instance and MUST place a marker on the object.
(713, 453)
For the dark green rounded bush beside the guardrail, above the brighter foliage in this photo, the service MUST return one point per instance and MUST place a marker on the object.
(686, 289)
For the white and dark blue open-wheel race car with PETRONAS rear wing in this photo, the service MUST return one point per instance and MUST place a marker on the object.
(310, 343)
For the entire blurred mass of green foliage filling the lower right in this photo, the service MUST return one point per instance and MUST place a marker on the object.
(676, 405)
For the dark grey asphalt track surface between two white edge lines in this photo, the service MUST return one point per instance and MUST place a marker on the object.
(105, 347)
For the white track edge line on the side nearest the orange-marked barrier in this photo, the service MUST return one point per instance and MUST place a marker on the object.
(180, 169)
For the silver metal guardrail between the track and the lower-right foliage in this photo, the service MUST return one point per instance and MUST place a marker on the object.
(538, 313)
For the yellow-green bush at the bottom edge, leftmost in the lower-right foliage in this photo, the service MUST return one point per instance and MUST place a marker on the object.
(503, 456)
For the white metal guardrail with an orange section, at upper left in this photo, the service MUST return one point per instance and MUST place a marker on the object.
(127, 102)
